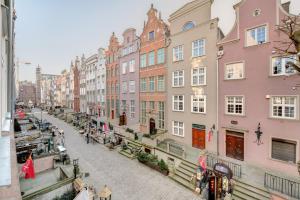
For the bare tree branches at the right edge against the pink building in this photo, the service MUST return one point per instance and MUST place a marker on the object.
(290, 47)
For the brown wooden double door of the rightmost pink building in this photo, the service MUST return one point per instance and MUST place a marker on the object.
(235, 146)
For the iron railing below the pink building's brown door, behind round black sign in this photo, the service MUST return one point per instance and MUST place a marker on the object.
(235, 168)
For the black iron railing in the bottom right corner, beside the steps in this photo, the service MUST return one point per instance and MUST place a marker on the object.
(282, 185)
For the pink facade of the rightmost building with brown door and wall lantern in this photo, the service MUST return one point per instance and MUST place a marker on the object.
(257, 94)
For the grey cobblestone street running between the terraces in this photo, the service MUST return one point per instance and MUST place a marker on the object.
(128, 179)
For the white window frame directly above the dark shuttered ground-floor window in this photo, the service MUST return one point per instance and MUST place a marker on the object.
(284, 105)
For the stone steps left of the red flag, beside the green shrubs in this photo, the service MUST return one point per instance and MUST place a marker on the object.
(184, 173)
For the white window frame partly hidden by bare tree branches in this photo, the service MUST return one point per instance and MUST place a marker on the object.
(284, 70)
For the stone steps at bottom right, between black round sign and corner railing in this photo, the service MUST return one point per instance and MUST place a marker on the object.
(245, 191)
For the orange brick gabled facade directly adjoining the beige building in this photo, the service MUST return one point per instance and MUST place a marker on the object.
(154, 39)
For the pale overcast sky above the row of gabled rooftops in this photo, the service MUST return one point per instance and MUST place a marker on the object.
(53, 32)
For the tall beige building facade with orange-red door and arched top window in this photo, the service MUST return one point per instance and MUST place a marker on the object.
(192, 76)
